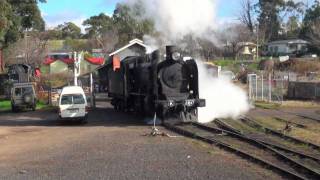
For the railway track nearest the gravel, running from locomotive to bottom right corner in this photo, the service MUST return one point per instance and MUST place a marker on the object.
(249, 148)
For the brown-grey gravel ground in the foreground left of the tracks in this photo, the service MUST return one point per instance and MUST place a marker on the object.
(34, 145)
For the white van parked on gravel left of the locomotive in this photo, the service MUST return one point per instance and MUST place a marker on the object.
(73, 104)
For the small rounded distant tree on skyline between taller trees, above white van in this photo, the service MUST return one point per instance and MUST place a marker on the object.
(69, 30)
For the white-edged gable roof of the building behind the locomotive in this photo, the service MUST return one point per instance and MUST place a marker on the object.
(134, 48)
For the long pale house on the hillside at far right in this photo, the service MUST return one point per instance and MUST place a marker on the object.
(287, 47)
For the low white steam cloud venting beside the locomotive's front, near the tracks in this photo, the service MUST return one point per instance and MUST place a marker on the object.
(223, 98)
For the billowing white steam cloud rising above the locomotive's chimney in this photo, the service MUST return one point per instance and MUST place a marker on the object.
(177, 18)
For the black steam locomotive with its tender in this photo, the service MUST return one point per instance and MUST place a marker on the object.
(148, 85)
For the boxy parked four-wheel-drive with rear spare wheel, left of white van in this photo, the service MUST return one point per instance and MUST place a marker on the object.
(23, 95)
